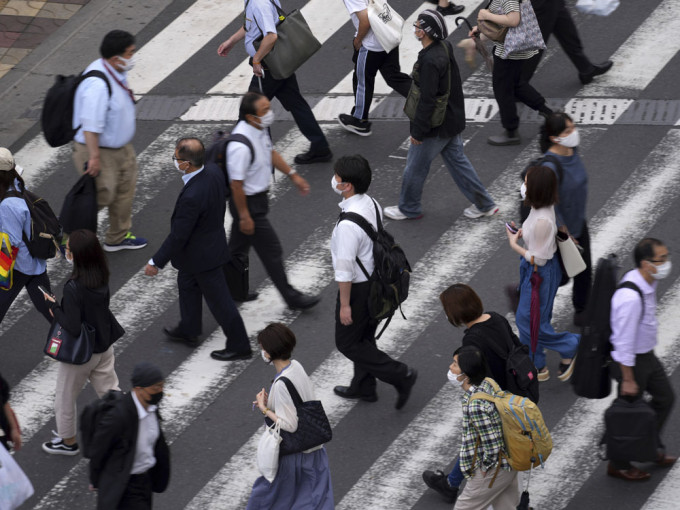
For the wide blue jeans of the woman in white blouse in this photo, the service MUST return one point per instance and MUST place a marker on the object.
(565, 343)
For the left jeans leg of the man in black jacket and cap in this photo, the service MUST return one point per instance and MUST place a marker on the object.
(418, 163)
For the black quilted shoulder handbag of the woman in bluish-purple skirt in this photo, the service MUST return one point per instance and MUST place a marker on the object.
(314, 429)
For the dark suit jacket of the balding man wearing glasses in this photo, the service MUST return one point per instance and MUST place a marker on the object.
(197, 240)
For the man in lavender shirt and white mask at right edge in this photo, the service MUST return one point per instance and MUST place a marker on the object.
(634, 336)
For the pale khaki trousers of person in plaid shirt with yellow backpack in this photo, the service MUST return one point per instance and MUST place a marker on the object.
(476, 495)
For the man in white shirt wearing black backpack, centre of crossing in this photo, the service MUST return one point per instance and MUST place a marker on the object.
(352, 251)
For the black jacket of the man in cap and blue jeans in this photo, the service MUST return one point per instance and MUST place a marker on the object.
(430, 69)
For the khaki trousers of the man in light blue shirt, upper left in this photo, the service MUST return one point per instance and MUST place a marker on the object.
(116, 185)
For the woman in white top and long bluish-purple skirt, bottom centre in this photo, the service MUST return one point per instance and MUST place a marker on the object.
(303, 480)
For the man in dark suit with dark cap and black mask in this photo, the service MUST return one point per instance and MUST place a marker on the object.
(130, 458)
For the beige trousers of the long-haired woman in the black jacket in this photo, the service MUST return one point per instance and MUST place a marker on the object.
(71, 380)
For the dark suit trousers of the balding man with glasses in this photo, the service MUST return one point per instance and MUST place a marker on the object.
(211, 285)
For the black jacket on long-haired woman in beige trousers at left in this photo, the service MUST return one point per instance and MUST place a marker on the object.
(80, 304)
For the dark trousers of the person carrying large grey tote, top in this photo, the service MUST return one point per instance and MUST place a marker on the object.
(288, 93)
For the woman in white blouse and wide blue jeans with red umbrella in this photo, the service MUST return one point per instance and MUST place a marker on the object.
(538, 232)
